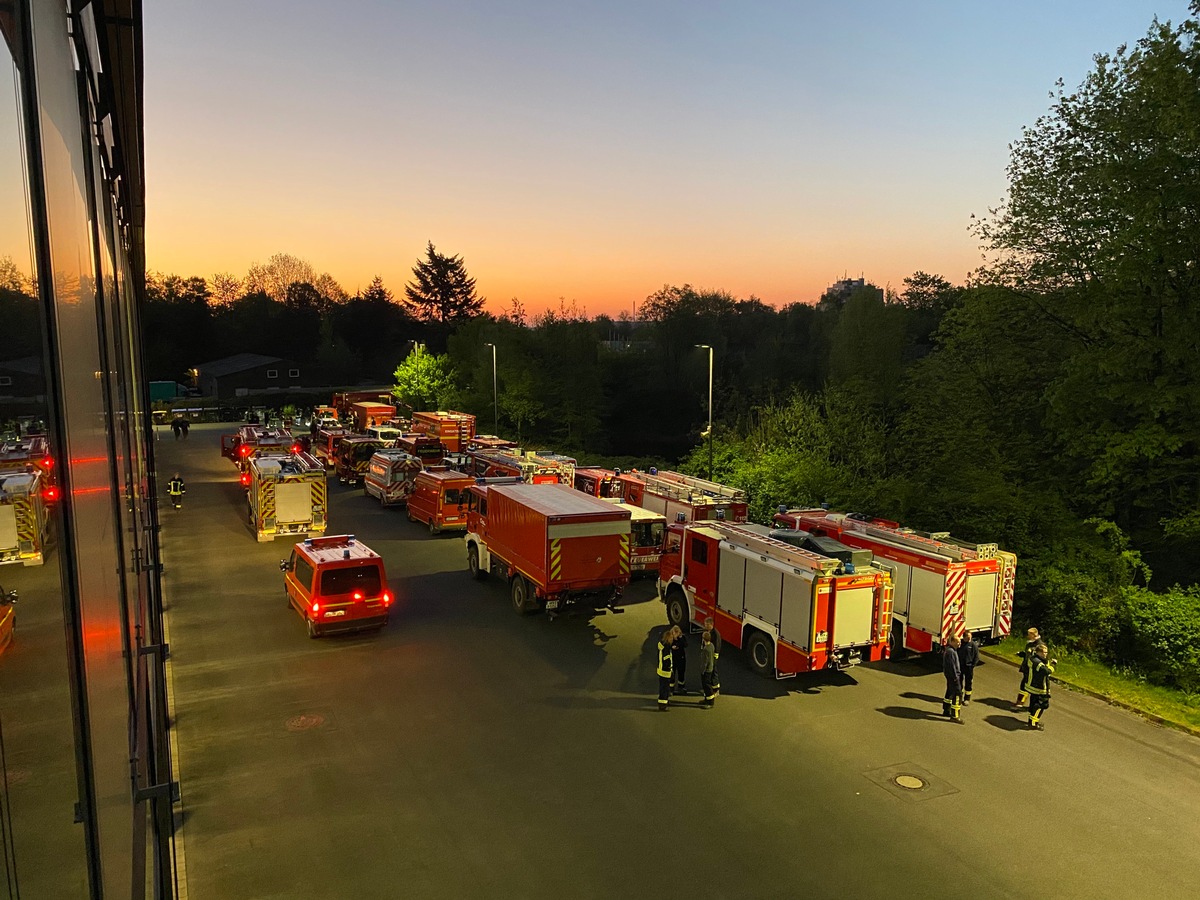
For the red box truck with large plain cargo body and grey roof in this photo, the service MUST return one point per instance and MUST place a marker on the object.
(557, 548)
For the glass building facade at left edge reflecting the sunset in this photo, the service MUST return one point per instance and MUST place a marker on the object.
(85, 746)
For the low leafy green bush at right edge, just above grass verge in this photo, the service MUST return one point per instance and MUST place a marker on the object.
(1162, 635)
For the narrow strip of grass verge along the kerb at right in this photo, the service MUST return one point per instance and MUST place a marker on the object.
(1166, 705)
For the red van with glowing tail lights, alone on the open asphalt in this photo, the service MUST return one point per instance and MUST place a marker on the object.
(337, 584)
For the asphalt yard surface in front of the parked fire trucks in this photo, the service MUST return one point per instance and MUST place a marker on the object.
(465, 752)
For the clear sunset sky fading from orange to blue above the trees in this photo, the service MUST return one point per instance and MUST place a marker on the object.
(598, 152)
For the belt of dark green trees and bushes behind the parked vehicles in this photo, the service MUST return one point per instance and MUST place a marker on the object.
(1052, 405)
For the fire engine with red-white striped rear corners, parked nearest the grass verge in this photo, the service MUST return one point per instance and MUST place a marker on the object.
(943, 586)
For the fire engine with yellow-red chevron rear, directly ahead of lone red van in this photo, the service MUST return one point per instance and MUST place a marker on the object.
(287, 495)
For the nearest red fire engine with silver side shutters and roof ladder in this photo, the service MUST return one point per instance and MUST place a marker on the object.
(790, 609)
